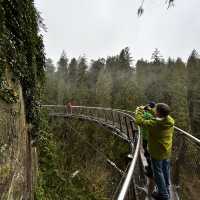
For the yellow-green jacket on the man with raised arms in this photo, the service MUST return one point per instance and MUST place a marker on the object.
(160, 133)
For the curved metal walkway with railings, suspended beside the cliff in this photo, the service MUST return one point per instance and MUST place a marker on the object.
(134, 185)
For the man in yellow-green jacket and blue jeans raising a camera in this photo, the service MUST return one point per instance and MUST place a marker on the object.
(160, 130)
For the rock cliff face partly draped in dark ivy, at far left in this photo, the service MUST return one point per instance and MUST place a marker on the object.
(22, 63)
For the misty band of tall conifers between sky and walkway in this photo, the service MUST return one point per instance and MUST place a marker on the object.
(114, 82)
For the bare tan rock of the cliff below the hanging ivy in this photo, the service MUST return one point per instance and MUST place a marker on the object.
(15, 150)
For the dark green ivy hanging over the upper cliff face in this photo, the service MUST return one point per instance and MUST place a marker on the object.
(22, 51)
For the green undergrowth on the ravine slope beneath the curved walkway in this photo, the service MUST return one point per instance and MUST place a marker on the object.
(62, 154)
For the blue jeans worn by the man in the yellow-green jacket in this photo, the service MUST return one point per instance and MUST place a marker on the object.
(161, 171)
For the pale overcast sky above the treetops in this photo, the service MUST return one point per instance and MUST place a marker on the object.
(99, 28)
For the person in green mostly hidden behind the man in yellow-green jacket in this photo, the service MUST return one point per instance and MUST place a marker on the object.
(147, 114)
